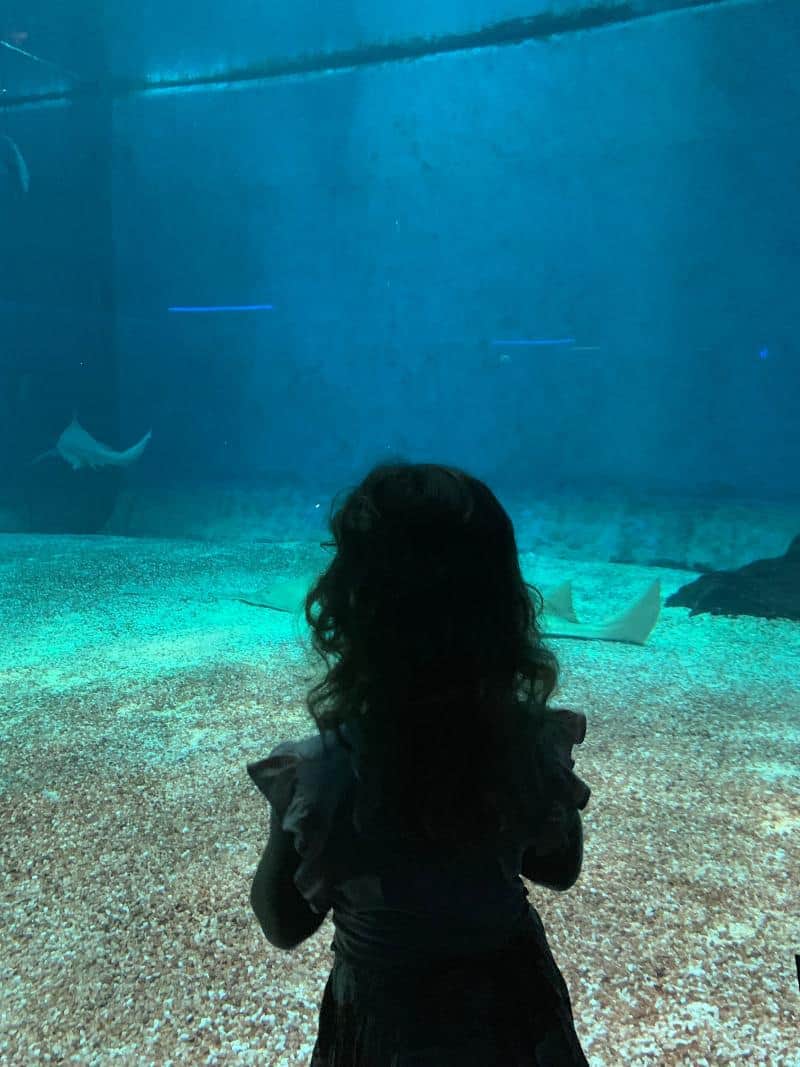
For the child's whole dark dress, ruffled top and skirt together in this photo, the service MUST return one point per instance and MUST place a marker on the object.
(440, 960)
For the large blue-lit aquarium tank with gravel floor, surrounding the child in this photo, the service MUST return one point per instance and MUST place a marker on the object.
(248, 252)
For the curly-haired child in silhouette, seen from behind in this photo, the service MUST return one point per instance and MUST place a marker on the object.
(440, 775)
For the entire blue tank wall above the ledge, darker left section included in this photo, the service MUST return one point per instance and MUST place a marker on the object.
(631, 188)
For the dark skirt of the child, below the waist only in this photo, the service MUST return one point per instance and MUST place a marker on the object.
(506, 1009)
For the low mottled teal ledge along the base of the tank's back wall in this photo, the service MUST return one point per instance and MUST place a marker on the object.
(615, 528)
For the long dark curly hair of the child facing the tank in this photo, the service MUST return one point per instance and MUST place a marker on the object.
(430, 641)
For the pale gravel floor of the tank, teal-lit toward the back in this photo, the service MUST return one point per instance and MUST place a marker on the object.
(134, 692)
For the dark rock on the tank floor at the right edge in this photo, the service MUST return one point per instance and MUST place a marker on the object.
(766, 588)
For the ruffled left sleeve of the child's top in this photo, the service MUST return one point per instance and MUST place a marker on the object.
(305, 785)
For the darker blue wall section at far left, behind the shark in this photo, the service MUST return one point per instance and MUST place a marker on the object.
(57, 297)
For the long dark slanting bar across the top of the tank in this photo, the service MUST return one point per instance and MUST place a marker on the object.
(515, 31)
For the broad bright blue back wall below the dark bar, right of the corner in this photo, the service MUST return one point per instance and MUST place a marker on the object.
(631, 188)
